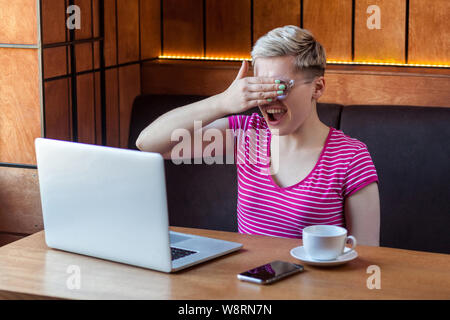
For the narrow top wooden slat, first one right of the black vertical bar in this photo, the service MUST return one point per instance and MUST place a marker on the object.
(110, 44)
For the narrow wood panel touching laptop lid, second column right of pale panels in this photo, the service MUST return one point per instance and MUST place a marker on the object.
(86, 108)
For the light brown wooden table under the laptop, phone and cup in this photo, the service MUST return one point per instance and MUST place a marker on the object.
(29, 269)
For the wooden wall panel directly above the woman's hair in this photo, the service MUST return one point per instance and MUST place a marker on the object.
(268, 15)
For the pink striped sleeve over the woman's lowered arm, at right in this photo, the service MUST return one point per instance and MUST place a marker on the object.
(360, 172)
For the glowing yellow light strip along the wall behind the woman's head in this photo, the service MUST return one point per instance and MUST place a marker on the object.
(328, 61)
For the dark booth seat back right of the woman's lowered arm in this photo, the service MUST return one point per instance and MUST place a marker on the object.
(410, 147)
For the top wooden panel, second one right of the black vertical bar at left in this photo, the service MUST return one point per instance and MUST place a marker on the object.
(128, 30)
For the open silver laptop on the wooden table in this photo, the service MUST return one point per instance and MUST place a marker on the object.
(111, 203)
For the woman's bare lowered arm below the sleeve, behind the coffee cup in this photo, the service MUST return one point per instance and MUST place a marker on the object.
(362, 215)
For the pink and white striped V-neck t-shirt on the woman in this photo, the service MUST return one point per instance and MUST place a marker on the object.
(264, 208)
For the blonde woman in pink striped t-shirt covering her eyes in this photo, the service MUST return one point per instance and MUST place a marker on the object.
(314, 174)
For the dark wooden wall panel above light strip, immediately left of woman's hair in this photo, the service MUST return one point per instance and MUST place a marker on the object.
(228, 28)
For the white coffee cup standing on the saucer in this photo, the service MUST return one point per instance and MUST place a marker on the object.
(325, 242)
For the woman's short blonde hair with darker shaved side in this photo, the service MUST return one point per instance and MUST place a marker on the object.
(292, 41)
